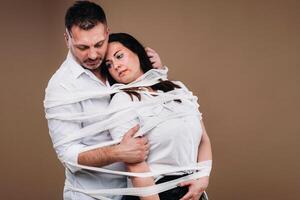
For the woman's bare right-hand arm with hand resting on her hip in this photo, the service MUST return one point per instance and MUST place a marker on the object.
(197, 187)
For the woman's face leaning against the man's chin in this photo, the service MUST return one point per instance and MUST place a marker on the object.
(123, 65)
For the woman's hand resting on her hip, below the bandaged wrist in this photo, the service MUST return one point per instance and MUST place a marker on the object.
(196, 188)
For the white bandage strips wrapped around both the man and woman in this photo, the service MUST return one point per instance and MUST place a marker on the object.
(109, 119)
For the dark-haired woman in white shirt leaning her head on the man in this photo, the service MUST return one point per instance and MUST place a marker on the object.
(175, 141)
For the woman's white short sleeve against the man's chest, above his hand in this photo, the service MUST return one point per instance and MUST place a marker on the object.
(124, 125)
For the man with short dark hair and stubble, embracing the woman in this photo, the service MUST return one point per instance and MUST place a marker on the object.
(87, 37)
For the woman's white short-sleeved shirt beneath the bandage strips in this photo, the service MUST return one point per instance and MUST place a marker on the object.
(174, 141)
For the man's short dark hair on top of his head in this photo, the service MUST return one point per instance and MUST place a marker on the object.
(84, 14)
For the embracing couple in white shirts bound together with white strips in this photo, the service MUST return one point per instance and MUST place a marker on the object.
(121, 128)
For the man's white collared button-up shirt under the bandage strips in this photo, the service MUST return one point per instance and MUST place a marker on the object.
(69, 78)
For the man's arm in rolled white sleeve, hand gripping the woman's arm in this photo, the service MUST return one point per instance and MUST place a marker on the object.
(130, 150)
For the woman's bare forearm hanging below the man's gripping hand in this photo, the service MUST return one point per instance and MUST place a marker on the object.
(142, 182)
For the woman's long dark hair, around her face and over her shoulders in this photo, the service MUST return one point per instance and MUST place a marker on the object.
(136, 47)
